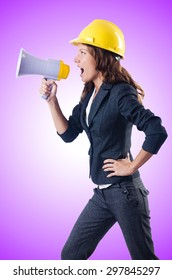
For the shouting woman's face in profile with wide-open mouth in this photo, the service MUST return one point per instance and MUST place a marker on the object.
(87, 65)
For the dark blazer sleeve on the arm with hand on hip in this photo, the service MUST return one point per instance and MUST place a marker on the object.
(131, 109)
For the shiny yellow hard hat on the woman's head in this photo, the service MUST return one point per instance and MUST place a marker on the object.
(103, 34)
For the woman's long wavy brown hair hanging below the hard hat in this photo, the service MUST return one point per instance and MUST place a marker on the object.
(108, 64)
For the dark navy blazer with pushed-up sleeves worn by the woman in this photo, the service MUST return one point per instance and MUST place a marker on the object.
(113, 112)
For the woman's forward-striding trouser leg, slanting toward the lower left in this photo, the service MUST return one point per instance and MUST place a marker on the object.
(92, 224)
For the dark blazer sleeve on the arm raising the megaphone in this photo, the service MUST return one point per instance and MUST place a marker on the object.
(74, 125)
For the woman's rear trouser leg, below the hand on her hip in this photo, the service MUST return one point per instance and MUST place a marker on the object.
(134, 220)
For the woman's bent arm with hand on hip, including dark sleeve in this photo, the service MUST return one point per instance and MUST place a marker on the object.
(145, 121)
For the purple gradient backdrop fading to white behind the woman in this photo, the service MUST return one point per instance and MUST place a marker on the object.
(44, 182)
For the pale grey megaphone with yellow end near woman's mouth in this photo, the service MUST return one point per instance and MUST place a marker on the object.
(50, 69)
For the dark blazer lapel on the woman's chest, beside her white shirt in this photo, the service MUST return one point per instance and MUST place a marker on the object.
(104, 89)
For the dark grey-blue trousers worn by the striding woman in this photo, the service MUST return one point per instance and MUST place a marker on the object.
(125, 203)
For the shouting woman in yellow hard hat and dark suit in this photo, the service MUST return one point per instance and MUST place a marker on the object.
(110, 104)
